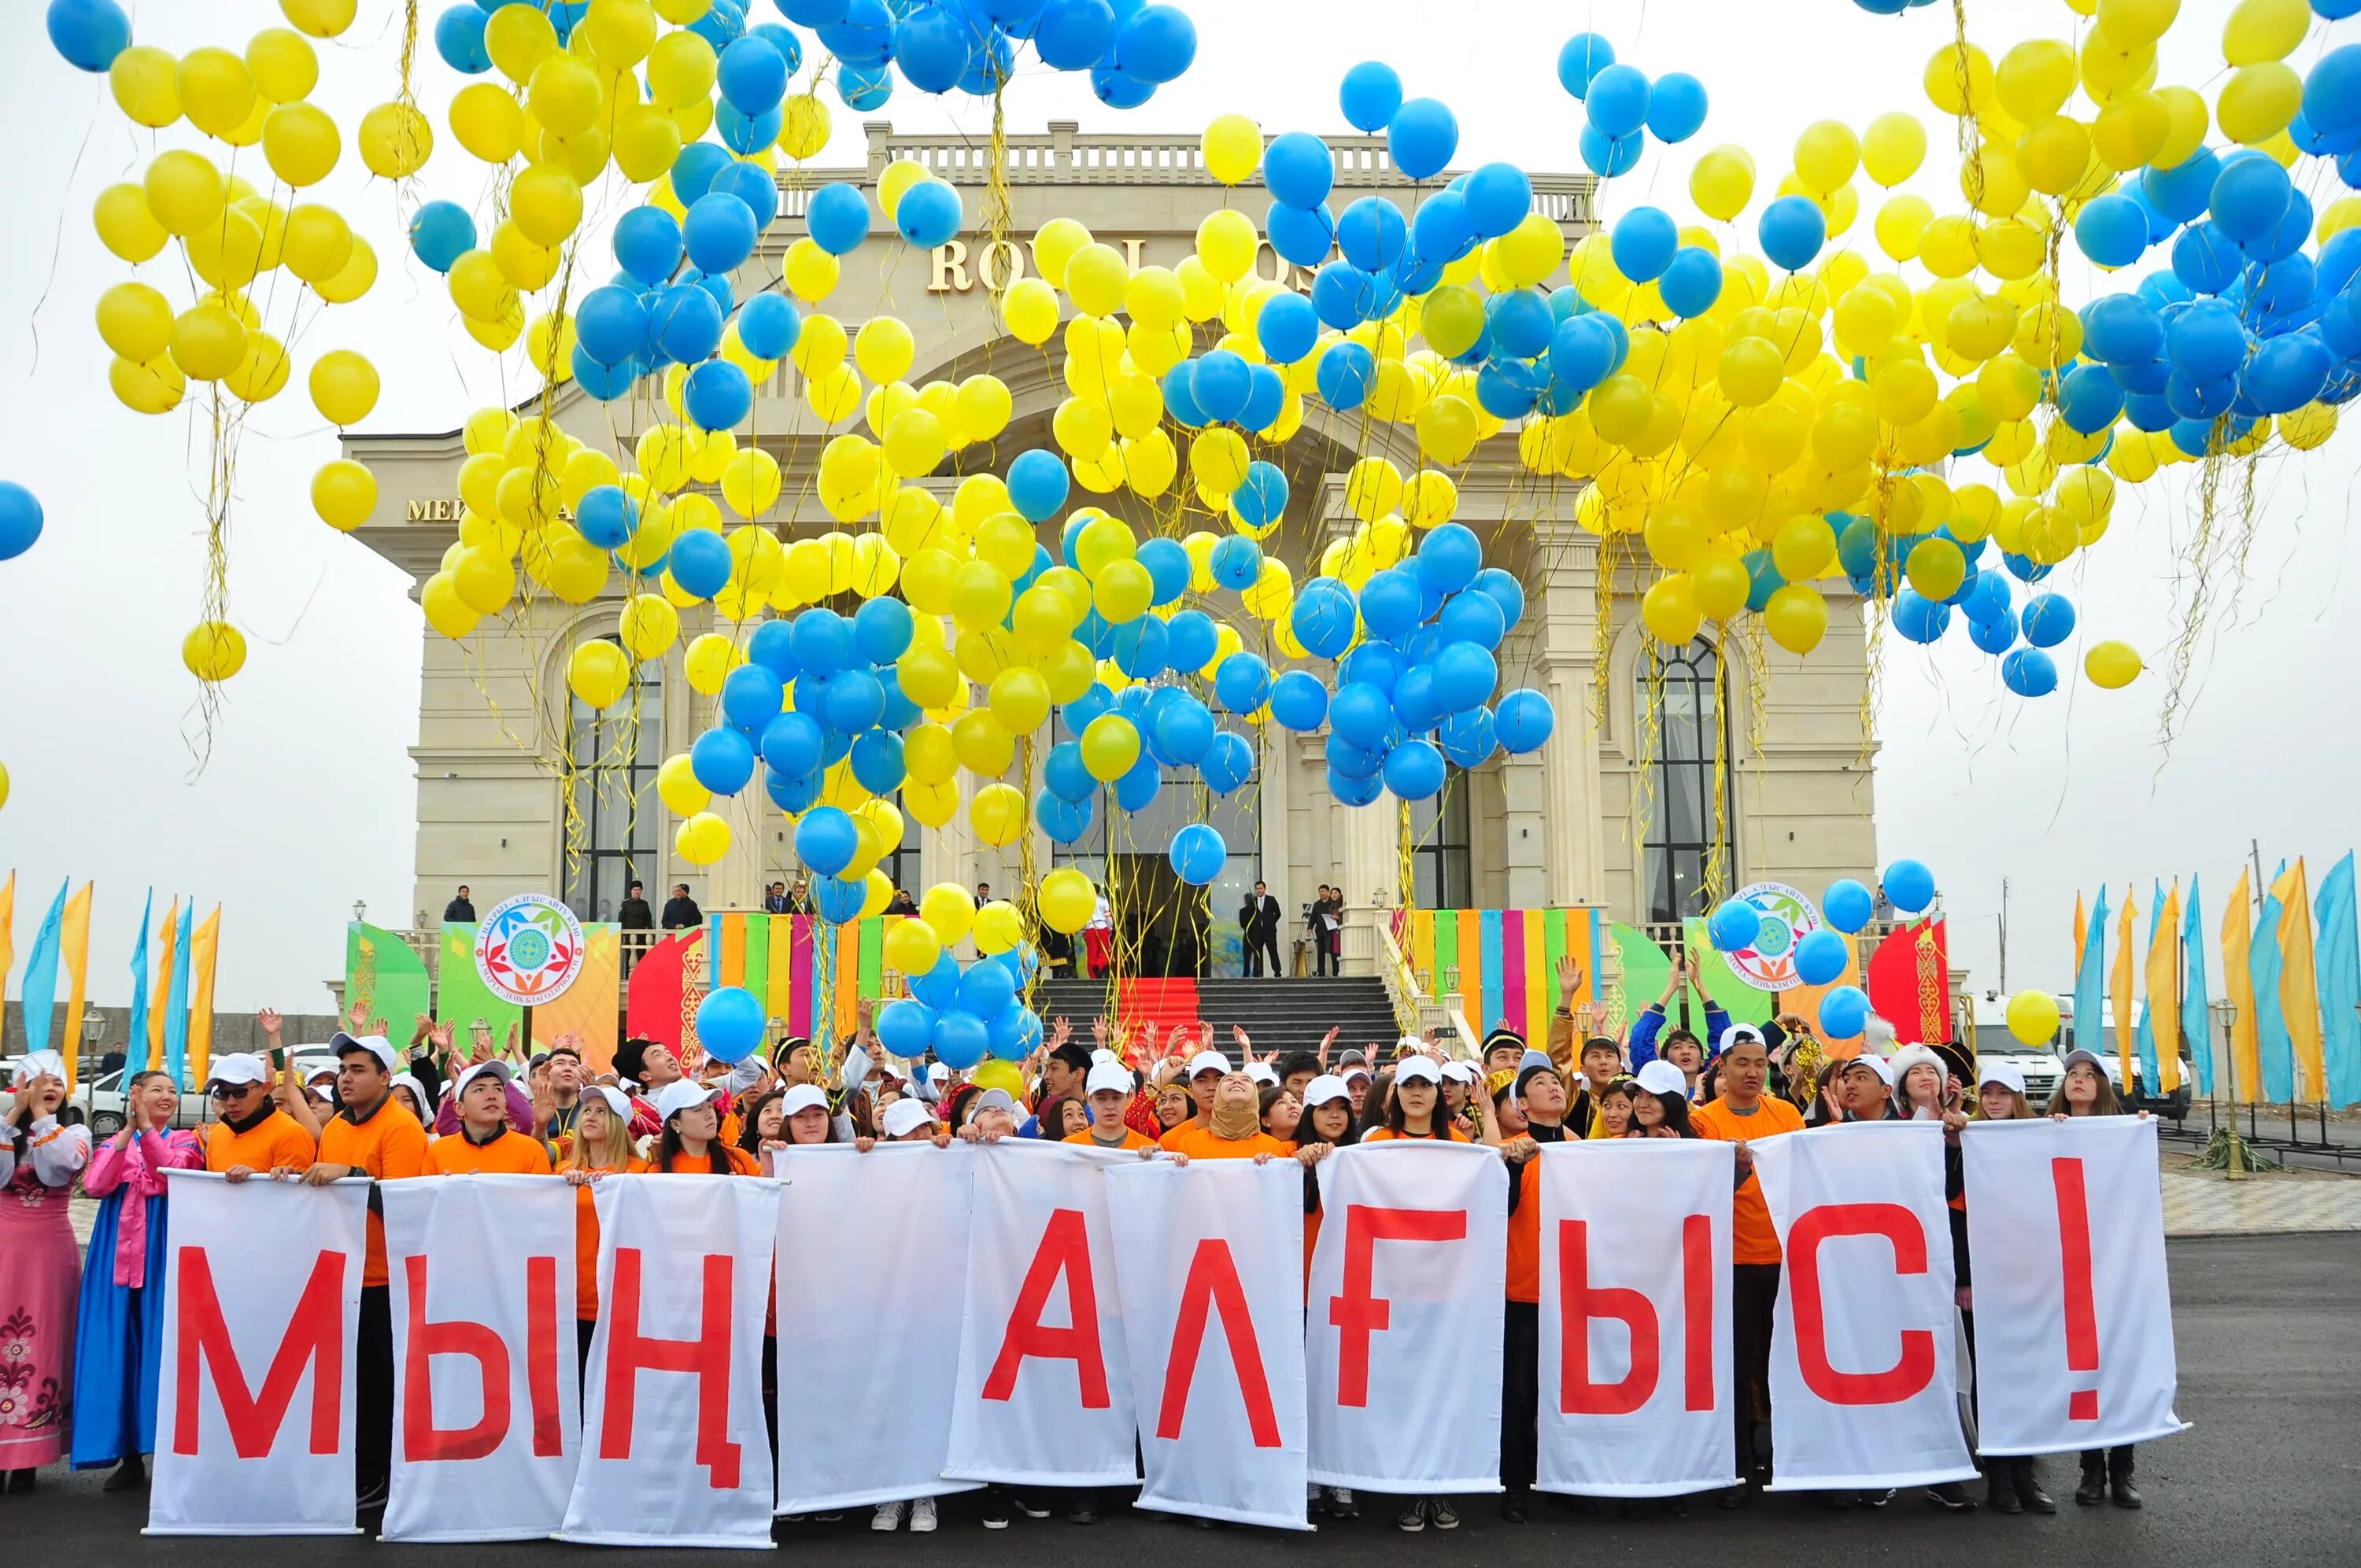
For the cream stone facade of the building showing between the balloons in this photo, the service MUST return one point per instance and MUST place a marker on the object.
(1543, 830)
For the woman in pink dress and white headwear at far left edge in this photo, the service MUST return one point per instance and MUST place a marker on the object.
(39, 1272)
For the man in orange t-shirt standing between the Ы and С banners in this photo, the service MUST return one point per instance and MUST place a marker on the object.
(1746, 1116)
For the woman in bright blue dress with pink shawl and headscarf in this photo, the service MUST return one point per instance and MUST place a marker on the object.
(119, 1340)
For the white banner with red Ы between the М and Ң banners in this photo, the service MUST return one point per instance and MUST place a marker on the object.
(488, 1406)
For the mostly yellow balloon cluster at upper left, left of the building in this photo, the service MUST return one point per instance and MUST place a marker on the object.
(228, 240)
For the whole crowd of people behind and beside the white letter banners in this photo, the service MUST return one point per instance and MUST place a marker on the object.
(81, 1338)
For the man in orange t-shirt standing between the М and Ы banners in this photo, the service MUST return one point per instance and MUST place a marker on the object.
(369, 1137)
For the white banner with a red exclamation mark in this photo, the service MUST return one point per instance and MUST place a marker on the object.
(2074, 1317)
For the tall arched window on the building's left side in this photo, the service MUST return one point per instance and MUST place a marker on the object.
(615, 790)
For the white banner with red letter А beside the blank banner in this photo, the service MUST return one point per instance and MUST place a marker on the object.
(1045, 1378)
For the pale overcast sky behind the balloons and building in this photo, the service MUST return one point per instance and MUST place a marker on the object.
(306, 799)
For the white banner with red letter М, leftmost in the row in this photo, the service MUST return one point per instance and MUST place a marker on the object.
(254, 1404)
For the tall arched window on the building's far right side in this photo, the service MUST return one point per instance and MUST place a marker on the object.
(1692, 738)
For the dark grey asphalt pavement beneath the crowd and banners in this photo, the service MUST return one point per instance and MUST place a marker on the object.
(2270, 1475)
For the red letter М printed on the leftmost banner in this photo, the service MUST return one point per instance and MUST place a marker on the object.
(315, 1335)
